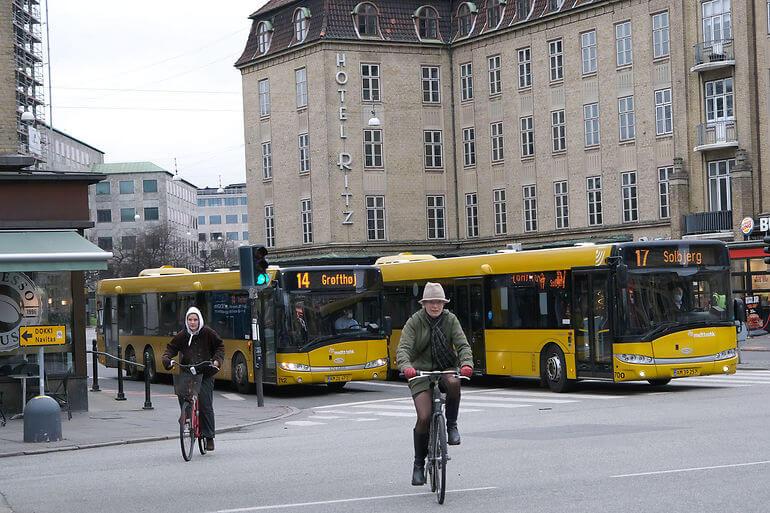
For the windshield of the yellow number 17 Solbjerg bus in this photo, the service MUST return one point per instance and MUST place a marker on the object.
(657, 299)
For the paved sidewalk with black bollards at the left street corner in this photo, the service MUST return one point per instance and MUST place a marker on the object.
(111, 422)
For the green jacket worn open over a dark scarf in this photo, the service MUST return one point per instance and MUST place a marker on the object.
(414, 346)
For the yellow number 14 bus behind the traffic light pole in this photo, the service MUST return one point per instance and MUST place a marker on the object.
(316, 324)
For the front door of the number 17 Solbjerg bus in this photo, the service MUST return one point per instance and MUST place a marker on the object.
(591, 322)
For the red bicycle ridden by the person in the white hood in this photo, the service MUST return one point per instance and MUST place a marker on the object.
(187, 385)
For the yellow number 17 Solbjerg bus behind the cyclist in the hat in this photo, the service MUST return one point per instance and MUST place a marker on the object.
(636, 311)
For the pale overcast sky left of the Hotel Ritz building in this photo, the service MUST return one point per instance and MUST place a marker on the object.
(153, 80)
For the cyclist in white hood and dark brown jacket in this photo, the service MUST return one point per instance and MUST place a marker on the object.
(198, 343)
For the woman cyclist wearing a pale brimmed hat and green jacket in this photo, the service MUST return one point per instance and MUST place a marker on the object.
(432, 339)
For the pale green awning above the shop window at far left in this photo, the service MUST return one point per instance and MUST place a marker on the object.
(49, 250)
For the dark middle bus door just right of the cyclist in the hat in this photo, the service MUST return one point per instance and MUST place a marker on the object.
(469, 308)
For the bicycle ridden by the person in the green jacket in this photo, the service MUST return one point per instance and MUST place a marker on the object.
(438, 454)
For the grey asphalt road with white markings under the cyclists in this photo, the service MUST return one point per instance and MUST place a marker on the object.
(696, 445)
